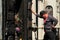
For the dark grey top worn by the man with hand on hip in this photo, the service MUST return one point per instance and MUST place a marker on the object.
(49, 22)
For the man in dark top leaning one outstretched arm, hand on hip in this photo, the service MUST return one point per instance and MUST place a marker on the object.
(49, 23)
